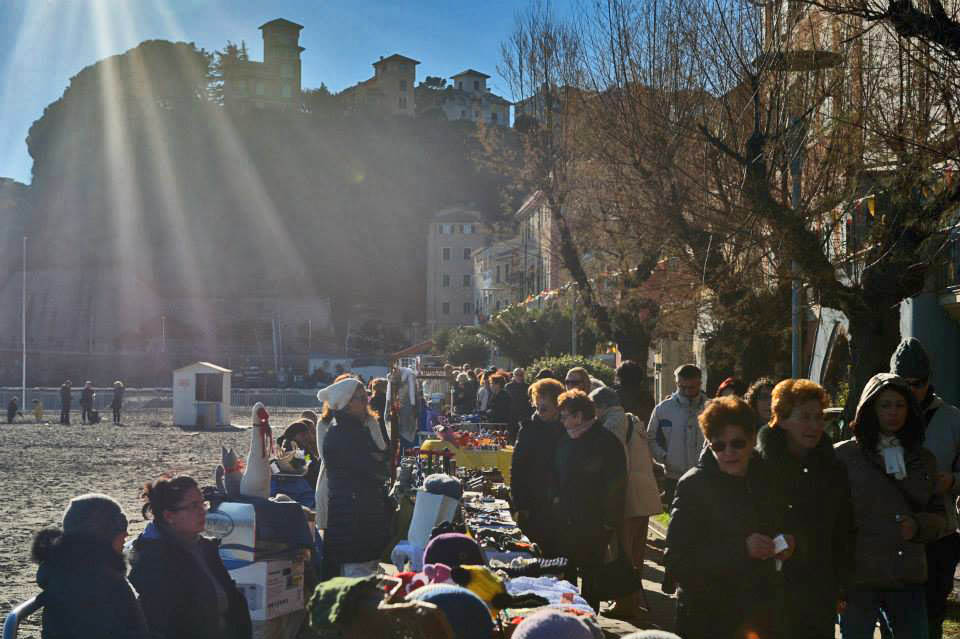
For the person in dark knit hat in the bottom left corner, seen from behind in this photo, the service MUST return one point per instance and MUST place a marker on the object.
(83, 576)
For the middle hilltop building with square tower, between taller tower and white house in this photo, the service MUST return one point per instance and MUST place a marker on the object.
(391, 88)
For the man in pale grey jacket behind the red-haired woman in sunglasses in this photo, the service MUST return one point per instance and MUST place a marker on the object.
(674, 436)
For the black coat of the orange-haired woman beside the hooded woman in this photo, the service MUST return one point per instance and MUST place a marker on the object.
(811, 496)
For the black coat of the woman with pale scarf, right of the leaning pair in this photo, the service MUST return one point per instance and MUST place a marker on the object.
(586, 492)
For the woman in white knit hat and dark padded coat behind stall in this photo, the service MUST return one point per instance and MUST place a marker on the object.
(358, 508)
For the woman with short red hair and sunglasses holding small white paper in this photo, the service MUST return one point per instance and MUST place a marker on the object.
(722, 542)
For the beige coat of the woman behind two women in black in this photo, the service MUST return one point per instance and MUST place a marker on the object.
(642, 498)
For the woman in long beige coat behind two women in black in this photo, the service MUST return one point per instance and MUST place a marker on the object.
(643, 496)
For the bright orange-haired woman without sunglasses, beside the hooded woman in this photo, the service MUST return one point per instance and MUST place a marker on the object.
(811, 495)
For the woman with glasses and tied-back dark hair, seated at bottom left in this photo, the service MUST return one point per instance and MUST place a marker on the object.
(185, 590)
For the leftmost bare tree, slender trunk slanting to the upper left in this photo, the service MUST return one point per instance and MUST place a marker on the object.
(543, 61)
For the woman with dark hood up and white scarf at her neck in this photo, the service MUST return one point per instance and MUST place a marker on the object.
(892, 480)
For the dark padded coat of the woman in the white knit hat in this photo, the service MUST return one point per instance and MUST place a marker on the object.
(357, 522)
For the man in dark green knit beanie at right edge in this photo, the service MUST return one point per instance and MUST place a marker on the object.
(911, 362)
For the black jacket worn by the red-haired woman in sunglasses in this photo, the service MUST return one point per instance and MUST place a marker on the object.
(723, 591)
